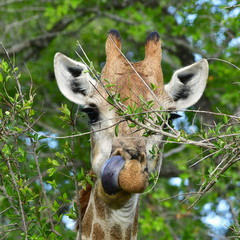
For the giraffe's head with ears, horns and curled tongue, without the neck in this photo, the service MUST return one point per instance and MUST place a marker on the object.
(122, 162)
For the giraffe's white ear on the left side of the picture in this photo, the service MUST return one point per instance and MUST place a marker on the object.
(73, 79)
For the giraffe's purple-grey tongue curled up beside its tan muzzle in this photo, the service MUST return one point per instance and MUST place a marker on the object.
(110, 172)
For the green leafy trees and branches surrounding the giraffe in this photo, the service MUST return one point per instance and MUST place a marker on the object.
(40, 172)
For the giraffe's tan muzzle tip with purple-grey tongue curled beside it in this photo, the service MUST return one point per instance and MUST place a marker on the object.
(122, 174)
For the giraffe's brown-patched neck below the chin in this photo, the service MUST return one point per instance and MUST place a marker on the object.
(104, 221)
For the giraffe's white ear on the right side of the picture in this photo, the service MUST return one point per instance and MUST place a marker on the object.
(188, 83)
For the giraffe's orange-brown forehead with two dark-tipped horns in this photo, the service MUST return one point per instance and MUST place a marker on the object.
(128, 83)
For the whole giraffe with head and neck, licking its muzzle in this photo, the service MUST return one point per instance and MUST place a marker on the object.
(122, 163)
